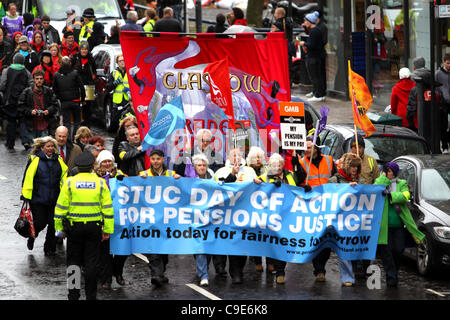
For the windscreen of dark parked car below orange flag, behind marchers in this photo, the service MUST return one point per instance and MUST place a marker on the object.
(386, 148)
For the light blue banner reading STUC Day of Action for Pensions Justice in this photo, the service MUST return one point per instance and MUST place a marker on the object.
(189, 216)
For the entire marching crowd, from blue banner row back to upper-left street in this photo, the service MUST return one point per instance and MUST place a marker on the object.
(66, 178)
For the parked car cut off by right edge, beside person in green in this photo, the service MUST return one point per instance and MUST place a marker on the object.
(428, 179)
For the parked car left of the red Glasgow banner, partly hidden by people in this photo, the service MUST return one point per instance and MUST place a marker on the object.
(105, 60)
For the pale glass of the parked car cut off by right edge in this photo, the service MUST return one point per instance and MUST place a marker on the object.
(435, 183)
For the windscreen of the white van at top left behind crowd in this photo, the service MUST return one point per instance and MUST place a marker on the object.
(56, 10)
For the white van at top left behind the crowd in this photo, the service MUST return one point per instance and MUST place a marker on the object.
(106, 11)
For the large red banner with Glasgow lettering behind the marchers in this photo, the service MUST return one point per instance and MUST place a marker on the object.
(162, 68)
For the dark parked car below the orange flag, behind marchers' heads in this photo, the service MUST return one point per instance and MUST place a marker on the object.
(387, 143)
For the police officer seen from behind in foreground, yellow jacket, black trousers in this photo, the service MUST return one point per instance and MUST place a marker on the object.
(84, 213)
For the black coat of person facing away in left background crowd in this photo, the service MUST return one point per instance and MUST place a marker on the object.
(67, 85)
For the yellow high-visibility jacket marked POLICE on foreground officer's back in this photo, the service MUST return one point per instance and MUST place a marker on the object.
(84, 198)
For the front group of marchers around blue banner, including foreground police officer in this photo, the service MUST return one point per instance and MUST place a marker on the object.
(67, 187)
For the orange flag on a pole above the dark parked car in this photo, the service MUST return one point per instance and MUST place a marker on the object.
(361, 101)
